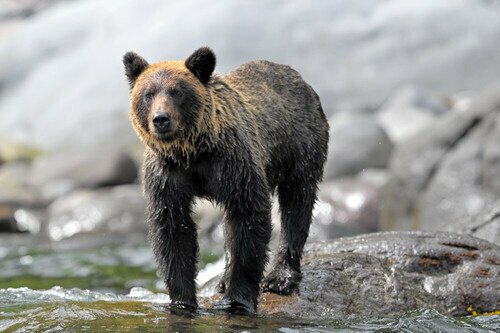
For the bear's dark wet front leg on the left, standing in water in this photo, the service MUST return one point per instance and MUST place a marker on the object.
(173, 234)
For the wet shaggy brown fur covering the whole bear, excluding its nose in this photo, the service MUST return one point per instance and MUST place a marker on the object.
(235, 140)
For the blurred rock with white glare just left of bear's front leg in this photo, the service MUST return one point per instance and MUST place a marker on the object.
(106, 214)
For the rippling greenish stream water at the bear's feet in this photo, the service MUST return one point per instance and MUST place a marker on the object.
(118, 290)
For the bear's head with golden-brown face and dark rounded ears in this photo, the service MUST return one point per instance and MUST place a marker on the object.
(168, 99)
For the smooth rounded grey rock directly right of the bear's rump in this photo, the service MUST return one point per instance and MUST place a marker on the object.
(356, 142)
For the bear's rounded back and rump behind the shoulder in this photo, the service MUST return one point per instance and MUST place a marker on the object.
(287, 111)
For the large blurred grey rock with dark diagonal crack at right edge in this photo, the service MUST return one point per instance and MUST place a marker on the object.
(437, 177)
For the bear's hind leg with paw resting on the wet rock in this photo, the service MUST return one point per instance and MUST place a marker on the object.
(297, 196)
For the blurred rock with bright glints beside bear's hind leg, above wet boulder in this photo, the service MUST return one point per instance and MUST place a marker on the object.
(346, 207)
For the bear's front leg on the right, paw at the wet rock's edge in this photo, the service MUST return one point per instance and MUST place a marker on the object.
(248, 223)
